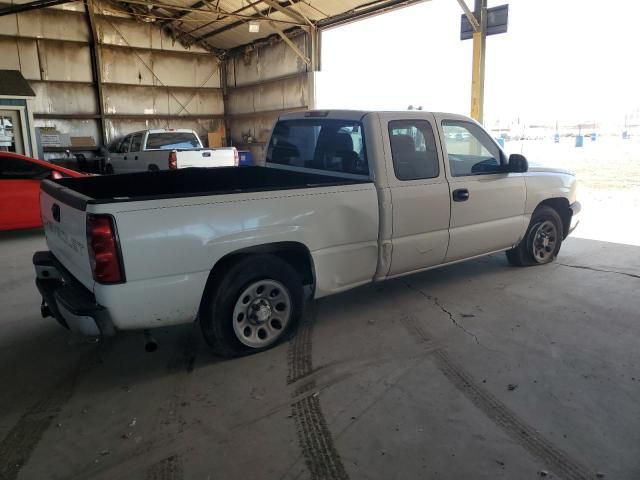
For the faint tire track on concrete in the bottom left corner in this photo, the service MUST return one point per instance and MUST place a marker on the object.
(20, 442)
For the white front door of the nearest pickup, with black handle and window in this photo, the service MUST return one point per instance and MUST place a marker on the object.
(487, 203)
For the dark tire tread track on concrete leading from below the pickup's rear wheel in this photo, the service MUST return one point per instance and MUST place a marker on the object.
(320, 454)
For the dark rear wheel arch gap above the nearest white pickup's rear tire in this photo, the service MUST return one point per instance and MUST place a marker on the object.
(295, 254)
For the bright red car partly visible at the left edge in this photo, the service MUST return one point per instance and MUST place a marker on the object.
(20, 178)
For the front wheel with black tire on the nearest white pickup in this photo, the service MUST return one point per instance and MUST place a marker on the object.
(530, 251)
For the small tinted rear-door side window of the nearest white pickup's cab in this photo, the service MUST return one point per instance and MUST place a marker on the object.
(413, 149)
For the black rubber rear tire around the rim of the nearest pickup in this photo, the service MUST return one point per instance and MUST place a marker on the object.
(223, 298)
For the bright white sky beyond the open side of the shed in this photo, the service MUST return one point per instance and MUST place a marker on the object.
(571, 60)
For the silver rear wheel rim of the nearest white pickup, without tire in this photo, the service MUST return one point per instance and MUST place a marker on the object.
(261, 313)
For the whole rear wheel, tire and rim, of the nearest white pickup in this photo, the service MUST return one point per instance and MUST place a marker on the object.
(253, 307)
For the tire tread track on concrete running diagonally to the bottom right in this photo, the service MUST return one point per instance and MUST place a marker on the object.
(559, 462)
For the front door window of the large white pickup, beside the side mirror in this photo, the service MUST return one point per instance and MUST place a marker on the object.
(470, 150)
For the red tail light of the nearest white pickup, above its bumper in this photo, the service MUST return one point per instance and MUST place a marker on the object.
(102, 243)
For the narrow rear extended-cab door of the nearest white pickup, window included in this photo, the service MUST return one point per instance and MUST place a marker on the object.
(419, 191)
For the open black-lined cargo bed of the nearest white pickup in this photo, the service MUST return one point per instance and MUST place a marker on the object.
(187, 182)
